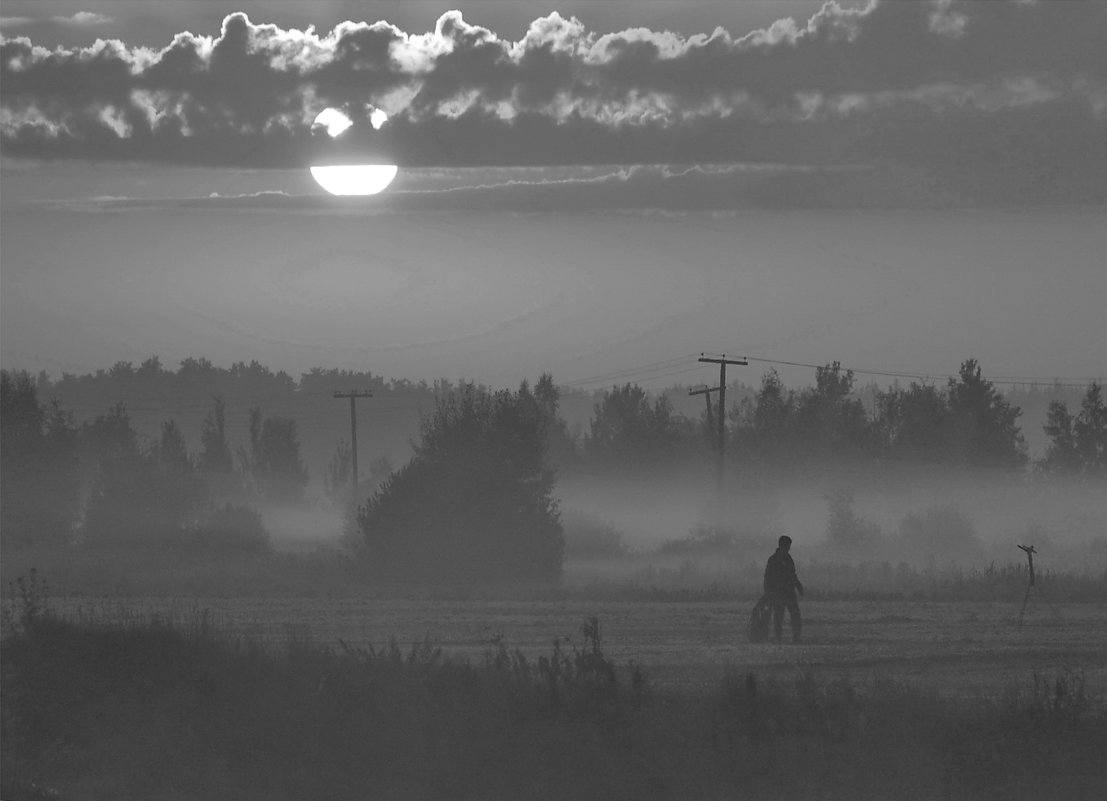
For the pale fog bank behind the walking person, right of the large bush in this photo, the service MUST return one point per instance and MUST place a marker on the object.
(1067, 519)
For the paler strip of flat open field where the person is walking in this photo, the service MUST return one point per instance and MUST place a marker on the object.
(956, 650)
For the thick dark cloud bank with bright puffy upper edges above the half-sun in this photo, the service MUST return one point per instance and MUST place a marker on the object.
(1009, 97)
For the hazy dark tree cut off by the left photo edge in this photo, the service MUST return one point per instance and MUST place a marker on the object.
(39, 466)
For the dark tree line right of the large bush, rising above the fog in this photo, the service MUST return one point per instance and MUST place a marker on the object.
(967, 424)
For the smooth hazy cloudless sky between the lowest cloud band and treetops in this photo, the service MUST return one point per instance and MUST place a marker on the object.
(498, 296)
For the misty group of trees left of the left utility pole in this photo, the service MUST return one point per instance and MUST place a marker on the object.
(101, 484)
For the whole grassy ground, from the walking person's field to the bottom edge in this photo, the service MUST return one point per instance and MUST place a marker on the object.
(167, 701)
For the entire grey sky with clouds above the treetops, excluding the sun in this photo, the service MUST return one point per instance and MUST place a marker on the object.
(598, 190)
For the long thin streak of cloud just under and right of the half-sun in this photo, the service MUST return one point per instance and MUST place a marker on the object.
(575, 190)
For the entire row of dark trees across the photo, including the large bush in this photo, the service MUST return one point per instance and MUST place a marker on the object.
(478, 496)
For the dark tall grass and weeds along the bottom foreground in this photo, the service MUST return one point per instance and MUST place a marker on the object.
(153, 711)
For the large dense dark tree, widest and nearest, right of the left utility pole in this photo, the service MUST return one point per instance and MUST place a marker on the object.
(477, 501)
